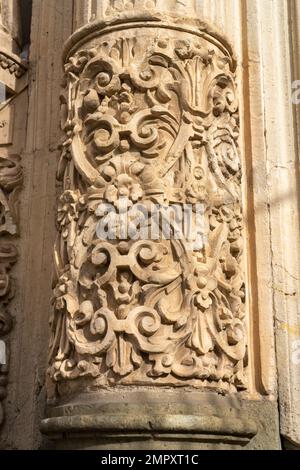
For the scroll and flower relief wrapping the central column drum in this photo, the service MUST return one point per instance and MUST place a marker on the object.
(153, 118)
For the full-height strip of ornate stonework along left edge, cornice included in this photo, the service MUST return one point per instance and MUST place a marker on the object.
(13, 82)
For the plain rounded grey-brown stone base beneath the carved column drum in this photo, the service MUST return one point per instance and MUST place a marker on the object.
(161, 420)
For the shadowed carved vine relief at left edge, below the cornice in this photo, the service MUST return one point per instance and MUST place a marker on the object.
(11, 178)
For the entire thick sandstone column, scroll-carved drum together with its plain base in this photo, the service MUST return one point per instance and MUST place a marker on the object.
(150, 340)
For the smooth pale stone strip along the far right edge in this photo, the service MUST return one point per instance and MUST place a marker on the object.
(284, 213)
